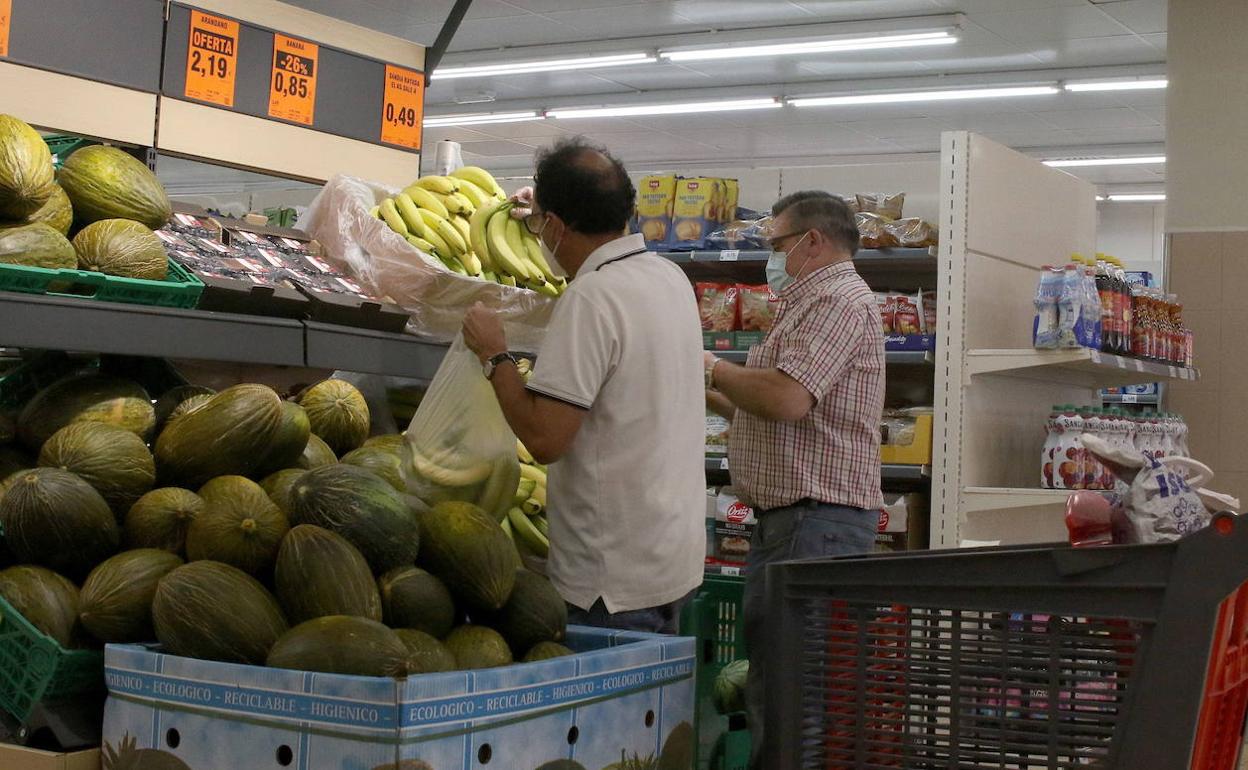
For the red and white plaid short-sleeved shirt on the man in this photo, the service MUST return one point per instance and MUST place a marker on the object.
(828, 338)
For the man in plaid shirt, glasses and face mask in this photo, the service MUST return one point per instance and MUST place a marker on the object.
(804, 447)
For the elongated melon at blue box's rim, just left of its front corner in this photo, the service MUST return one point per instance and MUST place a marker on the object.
(341, 645)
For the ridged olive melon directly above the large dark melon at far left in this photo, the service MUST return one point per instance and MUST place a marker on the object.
(113, 460)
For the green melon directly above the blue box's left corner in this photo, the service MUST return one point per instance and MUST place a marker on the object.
(117, 600)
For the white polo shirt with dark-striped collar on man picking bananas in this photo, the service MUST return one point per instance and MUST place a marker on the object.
(628, 500)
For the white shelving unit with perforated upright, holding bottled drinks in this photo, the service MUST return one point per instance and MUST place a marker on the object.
(1004, 217)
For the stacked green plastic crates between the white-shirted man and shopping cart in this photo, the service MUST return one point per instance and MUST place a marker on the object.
(717, 620)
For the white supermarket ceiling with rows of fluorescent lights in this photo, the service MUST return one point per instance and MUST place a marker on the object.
(1000, 43)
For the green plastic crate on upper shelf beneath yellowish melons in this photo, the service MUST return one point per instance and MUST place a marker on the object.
(180, 289)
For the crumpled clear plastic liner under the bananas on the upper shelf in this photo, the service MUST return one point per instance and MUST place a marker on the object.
(386, 265)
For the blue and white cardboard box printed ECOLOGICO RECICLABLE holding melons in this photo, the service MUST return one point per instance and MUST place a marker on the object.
(625, 694)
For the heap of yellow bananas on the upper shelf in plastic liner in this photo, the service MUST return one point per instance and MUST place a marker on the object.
(454, 219)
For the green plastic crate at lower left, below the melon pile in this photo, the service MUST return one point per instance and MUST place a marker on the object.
(36, 670)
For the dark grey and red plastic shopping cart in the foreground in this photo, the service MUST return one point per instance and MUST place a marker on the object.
(1118, 658)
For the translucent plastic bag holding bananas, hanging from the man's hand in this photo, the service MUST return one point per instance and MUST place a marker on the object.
(460, 446)
